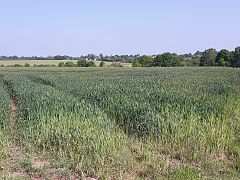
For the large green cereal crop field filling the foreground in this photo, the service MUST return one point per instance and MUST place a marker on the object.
(122, 123)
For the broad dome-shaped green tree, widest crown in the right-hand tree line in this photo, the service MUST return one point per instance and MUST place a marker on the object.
(167, 60)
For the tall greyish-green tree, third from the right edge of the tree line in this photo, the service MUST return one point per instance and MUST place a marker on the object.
(208, 57)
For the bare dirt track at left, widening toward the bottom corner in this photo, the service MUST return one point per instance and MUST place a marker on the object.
(23, 165)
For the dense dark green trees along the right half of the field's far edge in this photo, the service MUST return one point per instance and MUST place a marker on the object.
(209, 57)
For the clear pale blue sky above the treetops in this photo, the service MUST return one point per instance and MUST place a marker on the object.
(79, 27)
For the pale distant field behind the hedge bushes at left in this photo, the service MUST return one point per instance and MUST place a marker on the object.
(45, 62)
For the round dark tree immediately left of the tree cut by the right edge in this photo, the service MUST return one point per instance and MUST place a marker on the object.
(224, 58)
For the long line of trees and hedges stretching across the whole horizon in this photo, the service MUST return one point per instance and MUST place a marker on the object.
(209, 57)
